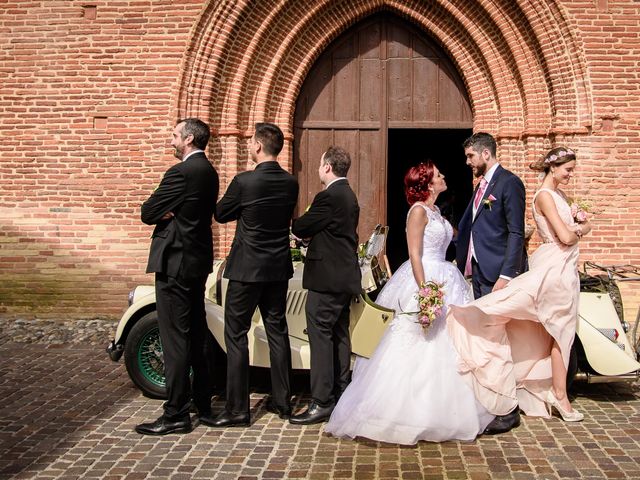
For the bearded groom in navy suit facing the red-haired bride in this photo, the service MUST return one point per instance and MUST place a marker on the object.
(490, 245)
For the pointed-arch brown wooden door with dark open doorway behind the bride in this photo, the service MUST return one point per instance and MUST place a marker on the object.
(388, 94)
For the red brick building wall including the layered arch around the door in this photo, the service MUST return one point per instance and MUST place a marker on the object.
(91, 90)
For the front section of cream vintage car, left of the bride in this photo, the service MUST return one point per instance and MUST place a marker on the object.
(137, 334)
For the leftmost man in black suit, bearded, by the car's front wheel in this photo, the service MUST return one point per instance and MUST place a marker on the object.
(181, 256)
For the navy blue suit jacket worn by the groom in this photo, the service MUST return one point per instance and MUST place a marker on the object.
(498, 229)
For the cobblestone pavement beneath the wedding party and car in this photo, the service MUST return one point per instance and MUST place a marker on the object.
(68, 412)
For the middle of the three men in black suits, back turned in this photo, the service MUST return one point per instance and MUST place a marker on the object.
(258, 268)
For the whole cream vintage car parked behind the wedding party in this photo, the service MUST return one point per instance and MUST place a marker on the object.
(602, 351)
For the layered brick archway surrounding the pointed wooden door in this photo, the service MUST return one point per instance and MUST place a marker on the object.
(524, 70)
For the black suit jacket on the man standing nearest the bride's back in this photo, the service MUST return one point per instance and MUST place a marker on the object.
(331, 263)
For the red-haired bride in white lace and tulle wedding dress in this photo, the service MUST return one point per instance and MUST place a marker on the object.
(410, 390)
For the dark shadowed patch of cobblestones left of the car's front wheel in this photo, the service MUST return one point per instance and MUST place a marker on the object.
(51, 396)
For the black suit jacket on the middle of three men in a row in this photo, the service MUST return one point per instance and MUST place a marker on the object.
(262, 201)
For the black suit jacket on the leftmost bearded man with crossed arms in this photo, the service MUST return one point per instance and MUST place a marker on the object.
(182, 247)
